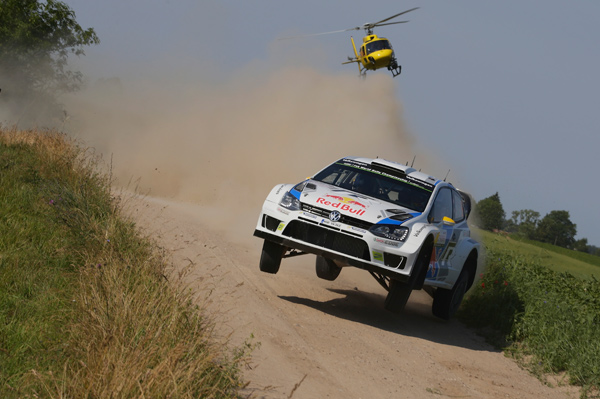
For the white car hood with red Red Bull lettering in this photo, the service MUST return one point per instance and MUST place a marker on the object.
(352, 204)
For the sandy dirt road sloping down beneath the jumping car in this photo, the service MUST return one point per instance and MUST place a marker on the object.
(321, 339)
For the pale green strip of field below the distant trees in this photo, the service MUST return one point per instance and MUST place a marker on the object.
(556, 258)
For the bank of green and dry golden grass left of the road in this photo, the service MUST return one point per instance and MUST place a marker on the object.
(87, 306)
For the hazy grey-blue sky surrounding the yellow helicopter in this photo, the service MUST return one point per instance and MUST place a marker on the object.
(502, 94)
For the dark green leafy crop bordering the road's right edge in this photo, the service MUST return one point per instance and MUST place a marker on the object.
(539, 312)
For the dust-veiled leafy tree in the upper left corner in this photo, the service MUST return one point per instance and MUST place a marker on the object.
(36, 39)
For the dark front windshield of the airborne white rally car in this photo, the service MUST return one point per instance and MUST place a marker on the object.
(360, 178)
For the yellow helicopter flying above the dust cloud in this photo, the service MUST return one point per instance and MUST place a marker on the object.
(375, 52)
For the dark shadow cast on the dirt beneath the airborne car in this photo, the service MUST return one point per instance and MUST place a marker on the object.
(415, 320)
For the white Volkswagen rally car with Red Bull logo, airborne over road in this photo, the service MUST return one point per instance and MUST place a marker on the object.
(408, 229)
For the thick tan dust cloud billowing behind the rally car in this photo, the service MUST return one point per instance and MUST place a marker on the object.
(224, 146)
